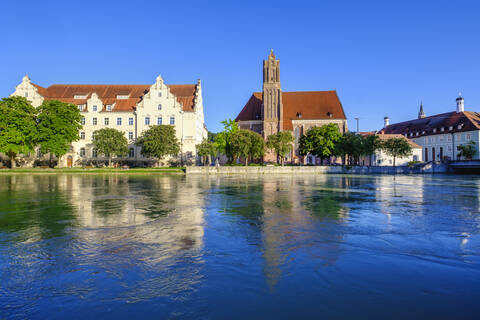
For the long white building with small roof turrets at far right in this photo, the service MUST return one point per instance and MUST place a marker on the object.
(439, 135)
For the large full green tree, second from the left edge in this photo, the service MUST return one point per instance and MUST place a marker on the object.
(58, 124)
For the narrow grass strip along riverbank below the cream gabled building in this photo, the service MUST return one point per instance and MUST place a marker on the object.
(168, 170)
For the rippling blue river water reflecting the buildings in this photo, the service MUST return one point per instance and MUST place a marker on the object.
(283, 247)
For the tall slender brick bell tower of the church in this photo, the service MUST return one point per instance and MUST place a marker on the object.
(272, 111)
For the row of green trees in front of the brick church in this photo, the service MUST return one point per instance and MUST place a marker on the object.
(323, 142)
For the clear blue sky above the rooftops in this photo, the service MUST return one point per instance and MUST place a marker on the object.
(383, 57)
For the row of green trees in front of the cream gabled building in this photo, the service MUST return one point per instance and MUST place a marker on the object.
(54, 125)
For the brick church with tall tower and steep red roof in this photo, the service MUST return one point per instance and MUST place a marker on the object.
(274, 110)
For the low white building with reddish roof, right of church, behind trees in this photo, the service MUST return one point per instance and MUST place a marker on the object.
(380, 158)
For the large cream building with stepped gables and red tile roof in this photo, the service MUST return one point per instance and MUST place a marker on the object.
(131, 109)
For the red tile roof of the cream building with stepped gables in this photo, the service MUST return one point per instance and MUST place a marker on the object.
(108, 94)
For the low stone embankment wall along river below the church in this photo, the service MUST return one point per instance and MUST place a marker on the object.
(226, 170)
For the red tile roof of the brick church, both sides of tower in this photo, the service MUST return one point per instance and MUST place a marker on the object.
(310, 104)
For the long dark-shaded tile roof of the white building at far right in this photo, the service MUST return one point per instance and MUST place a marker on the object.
(469, 121)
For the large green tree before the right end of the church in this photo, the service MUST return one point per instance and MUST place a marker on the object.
(320, 141)
